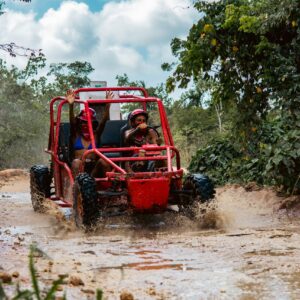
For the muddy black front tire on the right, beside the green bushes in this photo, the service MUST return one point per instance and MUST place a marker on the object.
(201, 188)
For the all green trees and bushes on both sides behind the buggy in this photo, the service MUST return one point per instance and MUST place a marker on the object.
(239, 121)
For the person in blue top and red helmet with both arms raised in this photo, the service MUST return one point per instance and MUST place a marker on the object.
(81, 140)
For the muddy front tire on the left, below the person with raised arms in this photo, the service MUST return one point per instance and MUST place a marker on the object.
(85, 201)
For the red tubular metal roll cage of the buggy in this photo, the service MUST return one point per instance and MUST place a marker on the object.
(61, 167)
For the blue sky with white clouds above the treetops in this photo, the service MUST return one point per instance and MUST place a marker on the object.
(116, 37)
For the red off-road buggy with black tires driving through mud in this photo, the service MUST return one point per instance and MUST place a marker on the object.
(146, 191)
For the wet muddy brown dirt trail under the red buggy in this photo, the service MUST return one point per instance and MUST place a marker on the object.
(253, 251)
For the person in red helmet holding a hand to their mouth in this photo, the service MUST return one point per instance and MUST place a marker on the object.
(140, 134)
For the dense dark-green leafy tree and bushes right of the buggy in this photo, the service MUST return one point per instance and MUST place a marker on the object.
(245, 56)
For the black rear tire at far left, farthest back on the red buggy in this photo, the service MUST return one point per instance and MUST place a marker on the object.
(40, 180)
